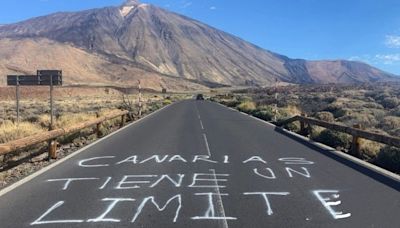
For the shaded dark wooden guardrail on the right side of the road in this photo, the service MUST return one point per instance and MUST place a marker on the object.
(354, 131)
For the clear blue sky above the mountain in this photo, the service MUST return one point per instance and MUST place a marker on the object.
(362, 30)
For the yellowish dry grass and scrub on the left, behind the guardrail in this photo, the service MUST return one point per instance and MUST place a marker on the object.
(71, 106)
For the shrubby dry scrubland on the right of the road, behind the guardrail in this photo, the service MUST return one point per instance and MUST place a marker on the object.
(376, 107)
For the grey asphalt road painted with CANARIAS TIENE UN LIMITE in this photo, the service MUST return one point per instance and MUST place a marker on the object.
(198, 164)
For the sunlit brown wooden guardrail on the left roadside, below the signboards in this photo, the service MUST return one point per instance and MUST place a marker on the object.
(54, 134)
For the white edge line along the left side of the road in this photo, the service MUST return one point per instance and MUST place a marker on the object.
(73, 154)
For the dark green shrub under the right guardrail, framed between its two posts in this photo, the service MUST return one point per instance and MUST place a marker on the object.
(333, 139)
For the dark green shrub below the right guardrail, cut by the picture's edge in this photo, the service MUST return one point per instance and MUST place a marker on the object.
(389, 158)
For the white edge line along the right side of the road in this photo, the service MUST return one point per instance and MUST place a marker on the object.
(364, 164)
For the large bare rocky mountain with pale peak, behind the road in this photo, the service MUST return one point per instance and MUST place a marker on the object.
(141, 40)
